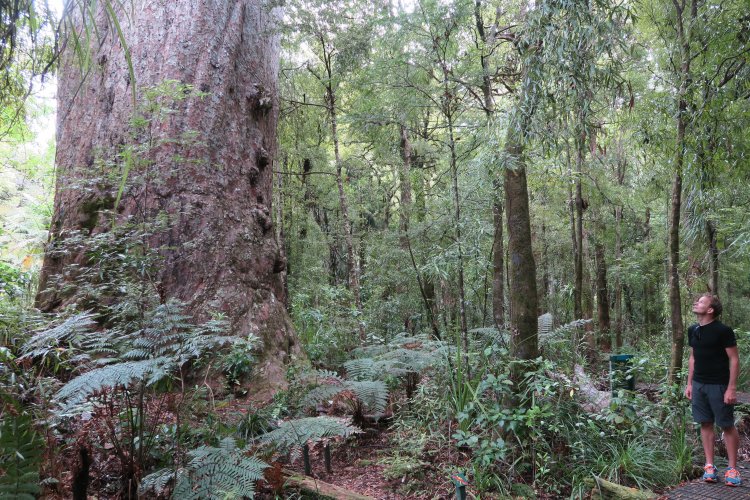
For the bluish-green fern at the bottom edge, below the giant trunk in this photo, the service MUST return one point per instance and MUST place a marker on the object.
(211, 473)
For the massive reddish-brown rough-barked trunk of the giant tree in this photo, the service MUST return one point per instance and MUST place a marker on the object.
(220, 253)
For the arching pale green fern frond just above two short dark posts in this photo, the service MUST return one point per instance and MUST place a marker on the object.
(292, 435)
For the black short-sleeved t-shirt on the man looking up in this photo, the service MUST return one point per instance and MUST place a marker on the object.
(709, 343)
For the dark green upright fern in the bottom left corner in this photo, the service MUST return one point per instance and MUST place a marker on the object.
(20, 457)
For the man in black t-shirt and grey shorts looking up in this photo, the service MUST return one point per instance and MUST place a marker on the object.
(712, 384)
